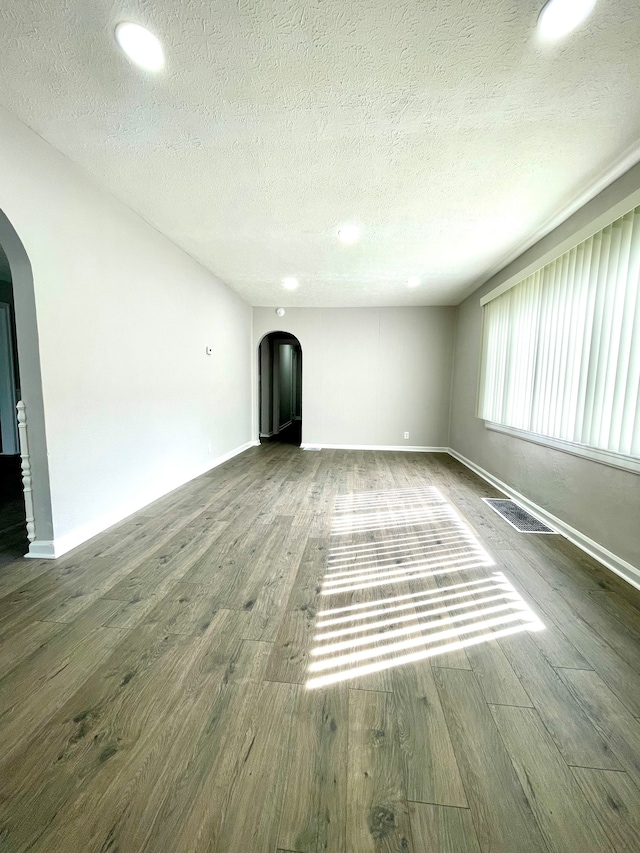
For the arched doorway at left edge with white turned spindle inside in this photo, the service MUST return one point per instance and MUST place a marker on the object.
(26, 494)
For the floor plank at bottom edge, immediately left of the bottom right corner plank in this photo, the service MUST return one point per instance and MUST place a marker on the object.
(564, 816)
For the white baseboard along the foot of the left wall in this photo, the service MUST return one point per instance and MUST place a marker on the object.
(52, 549)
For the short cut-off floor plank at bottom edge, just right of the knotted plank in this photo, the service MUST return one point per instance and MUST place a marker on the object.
(442, 829)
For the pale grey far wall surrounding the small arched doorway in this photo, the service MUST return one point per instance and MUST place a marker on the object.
(369, 374)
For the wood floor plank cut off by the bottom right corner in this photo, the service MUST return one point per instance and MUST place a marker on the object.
(615, 800)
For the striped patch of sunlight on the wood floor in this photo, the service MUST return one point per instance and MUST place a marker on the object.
(407, 539)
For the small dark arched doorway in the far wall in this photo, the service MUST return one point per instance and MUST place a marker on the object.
(280, 388)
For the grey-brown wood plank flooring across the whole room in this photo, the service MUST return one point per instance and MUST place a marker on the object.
(305, 651)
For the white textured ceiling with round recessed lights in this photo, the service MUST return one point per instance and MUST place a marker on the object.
(443, 127)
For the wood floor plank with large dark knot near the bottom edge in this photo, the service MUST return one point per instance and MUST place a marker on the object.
(377, 811)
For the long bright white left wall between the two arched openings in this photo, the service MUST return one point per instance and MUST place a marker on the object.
(132, 404)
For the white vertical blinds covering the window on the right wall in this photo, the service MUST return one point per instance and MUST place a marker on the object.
(561, 349)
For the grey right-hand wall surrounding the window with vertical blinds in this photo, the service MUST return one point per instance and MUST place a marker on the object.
(600, 502)
